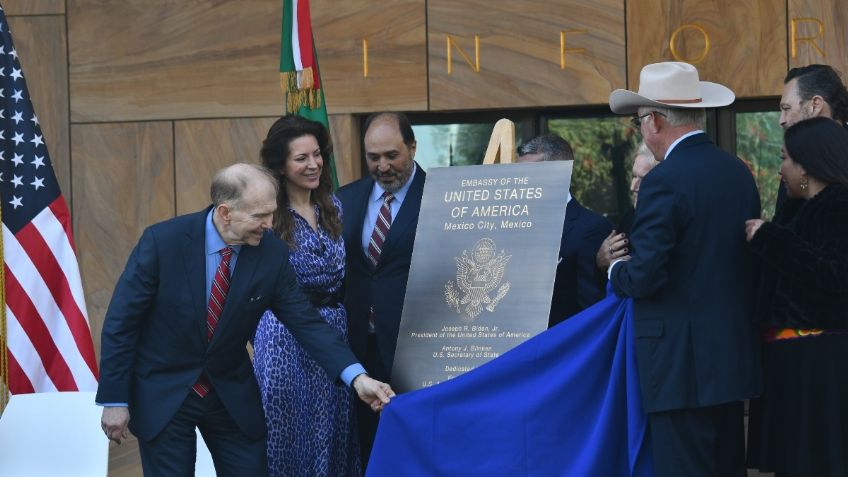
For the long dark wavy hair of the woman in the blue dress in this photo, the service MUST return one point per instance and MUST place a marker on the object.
(275, 152)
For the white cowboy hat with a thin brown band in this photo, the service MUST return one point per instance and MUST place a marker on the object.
(670, 84)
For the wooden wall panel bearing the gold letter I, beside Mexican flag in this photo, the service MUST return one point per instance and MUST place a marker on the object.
(397, 54)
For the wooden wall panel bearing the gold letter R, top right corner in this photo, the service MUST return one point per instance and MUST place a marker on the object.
(826, 26)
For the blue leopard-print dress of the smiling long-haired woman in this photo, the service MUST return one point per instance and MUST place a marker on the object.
(310, 420)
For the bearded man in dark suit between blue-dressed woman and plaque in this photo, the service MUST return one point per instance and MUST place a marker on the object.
(380, 218)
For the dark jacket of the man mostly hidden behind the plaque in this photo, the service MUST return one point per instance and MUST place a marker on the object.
(578, 282)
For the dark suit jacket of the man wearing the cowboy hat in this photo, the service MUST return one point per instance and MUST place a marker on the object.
(691, 280)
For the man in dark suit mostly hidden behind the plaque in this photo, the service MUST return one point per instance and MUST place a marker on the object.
(578, 283)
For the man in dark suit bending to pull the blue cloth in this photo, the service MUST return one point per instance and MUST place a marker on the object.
(173, 351)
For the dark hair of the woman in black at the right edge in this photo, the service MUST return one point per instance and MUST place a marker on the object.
(820, 146)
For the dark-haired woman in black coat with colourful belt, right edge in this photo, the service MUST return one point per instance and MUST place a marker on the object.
(800, 425)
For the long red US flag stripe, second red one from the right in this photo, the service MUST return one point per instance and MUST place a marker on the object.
(51, 272)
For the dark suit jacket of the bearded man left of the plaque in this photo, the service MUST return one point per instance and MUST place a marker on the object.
(383, 288)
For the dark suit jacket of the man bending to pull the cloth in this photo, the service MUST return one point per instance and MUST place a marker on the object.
(154, 344)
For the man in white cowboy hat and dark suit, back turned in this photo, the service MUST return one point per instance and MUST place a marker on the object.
(690, 277)
